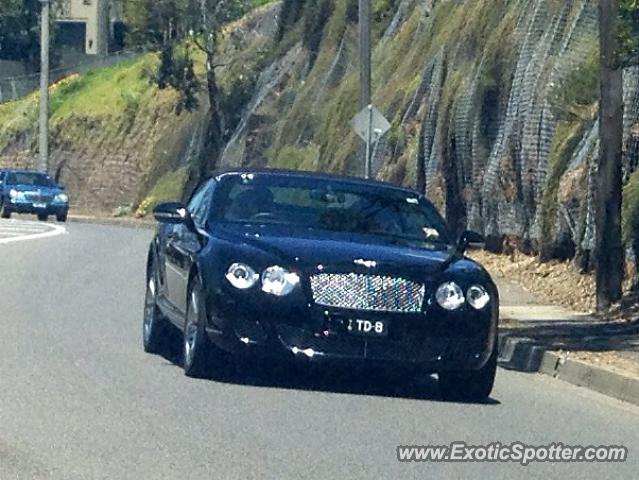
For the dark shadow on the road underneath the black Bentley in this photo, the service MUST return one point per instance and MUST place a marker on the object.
(327, 378)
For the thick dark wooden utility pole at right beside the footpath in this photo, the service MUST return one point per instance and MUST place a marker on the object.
(608, 245)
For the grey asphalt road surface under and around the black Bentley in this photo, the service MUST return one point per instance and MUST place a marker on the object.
(80, 400)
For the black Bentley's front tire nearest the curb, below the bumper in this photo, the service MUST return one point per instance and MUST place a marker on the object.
(470, 386)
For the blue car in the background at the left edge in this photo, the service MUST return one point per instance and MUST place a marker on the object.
(24, 191)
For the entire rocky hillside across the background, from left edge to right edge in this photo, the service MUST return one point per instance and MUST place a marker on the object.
(492, 104)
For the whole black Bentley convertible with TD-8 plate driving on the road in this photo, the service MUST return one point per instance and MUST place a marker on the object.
(320, 268)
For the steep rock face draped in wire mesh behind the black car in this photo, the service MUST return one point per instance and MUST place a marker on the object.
(493, 106)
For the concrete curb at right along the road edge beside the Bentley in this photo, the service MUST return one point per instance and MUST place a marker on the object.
(522, 354)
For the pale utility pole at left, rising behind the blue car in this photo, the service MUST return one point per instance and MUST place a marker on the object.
(44, 86)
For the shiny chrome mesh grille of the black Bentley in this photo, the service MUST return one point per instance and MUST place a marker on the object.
(367, 292)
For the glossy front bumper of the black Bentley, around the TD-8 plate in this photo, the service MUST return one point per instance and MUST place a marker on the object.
(464, 342)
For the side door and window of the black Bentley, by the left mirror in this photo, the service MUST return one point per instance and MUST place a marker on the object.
(181, 246)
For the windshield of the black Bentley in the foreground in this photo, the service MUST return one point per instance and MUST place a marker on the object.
(330, 205)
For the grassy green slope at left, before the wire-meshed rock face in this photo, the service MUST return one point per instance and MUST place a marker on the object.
(119, 118)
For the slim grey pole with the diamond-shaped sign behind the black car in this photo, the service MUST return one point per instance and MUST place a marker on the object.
(365, 73)
